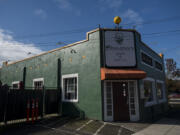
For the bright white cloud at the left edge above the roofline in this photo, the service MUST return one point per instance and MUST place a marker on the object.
(11, 50)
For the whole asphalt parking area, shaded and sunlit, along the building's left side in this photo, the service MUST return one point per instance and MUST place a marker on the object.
(66, 126)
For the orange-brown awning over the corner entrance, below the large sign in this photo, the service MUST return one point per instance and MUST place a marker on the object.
(122, 74)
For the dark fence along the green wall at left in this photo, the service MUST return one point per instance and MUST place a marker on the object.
(13, 103)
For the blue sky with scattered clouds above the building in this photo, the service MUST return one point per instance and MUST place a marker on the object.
(33, 26)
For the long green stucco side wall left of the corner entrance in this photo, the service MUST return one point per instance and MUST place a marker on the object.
(83, 58)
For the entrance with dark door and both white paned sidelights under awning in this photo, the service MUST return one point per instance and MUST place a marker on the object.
(121, 100)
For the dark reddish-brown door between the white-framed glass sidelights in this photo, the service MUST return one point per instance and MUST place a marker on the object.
(120, 101)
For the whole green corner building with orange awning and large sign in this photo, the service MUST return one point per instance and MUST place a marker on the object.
(110, 76)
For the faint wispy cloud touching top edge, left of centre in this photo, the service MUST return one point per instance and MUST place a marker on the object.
(66, 5)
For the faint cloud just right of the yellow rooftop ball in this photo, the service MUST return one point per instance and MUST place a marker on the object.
(132, 17)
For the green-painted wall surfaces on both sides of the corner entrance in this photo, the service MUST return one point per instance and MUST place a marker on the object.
(85, 58)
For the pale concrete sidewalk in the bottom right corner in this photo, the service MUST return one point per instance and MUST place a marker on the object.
(162, 127)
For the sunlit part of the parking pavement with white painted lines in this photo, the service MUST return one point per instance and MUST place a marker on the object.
(89, 127)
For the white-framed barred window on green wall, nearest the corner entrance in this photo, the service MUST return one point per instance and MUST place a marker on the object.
(70, 89)
